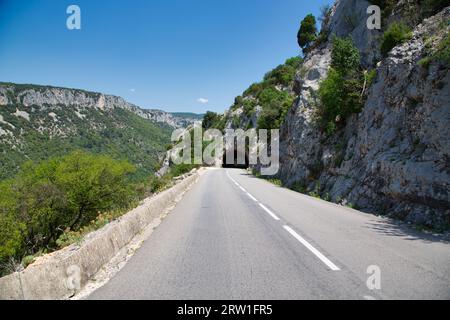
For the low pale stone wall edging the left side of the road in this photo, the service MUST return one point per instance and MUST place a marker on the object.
(61, 274)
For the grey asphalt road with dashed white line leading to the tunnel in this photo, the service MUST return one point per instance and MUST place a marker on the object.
(234, 236)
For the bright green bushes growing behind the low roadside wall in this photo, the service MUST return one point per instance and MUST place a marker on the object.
(54, 203)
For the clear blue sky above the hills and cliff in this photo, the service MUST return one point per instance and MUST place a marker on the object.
(167, 54)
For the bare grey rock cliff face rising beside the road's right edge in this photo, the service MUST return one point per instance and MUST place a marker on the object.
(393, 157)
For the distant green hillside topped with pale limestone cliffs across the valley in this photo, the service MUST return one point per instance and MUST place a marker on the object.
(38, 122)
